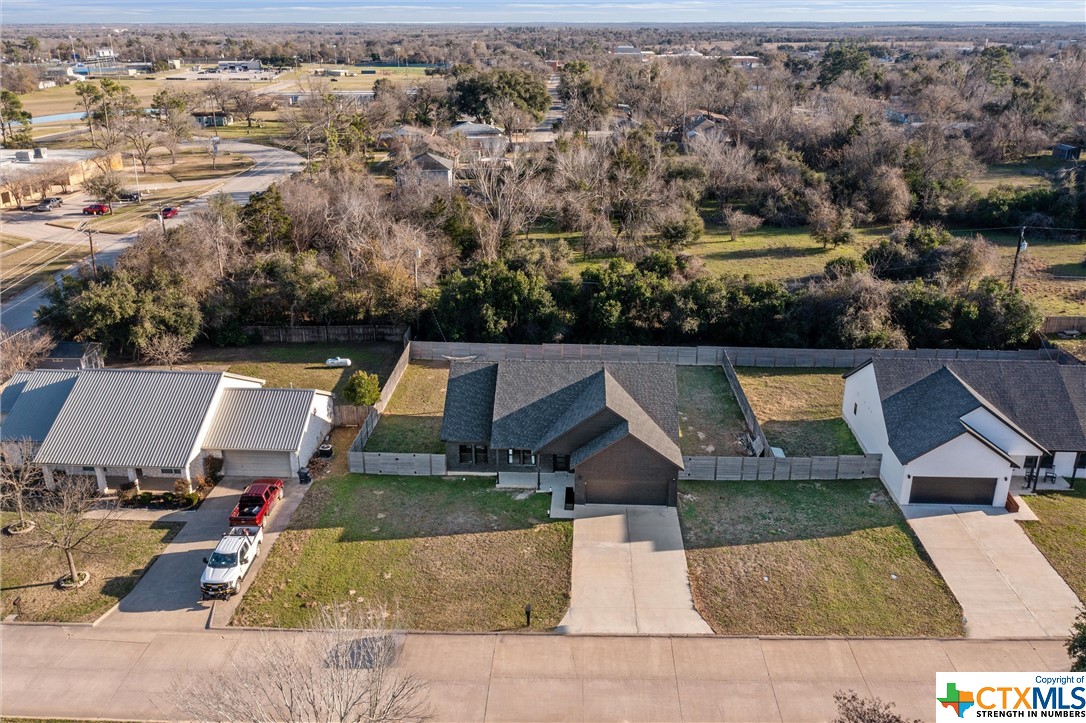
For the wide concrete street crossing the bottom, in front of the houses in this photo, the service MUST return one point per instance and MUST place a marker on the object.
(82, 673)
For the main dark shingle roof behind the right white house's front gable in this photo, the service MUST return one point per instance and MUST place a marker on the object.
(1045, 399)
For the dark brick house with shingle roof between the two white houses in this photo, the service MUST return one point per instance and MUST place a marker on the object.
(613, 426)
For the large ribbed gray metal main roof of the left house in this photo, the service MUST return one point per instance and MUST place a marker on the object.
(131, 418)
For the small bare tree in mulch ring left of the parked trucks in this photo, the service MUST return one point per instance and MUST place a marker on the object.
(65, 524)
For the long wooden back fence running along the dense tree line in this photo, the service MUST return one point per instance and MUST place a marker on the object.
(741, 357)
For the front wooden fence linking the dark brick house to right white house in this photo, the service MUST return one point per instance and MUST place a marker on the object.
(847, 467)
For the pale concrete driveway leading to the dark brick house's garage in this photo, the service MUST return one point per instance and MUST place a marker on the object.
(630, 574)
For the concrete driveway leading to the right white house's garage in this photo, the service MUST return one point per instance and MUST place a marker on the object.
(1005, 586)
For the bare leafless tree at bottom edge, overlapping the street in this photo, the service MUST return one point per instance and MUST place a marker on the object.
(342, 668)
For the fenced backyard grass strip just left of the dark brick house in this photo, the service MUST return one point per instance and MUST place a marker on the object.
(412, 423)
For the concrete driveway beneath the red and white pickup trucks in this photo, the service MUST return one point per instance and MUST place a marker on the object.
(168, 598)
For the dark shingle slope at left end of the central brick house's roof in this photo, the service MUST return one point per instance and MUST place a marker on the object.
(470, 402)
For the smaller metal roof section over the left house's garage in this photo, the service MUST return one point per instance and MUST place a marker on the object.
(261, 420)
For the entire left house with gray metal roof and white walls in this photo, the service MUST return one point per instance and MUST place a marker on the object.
(155, 427)
